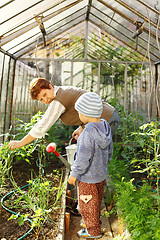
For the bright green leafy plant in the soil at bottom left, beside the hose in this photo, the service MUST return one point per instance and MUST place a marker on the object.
(42, 199)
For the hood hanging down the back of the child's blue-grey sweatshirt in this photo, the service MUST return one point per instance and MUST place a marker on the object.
(101, 132)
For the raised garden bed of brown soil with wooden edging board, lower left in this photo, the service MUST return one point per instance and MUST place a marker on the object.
(52, 228)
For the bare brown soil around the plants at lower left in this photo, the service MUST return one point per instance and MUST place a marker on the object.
(10, 230)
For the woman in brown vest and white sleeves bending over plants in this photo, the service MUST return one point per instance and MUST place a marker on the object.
(61, 101)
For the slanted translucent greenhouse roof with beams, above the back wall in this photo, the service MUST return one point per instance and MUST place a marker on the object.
(81, 29)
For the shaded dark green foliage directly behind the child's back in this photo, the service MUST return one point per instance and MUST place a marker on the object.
(125, 147)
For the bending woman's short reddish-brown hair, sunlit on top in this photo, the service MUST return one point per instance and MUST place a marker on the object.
(36, 85)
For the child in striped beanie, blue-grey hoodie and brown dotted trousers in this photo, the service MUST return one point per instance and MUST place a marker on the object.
(94, 151)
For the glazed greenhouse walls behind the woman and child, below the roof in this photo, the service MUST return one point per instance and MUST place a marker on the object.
(131, 83)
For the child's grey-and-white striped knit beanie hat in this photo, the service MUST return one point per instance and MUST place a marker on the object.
(89, 104)
